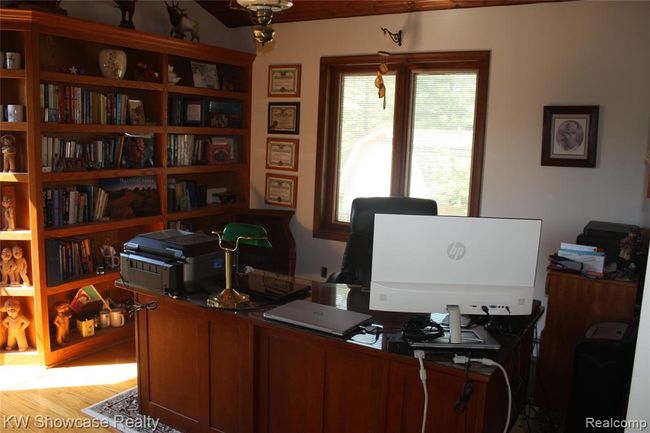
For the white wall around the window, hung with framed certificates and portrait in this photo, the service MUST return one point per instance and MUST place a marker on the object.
(568, 53)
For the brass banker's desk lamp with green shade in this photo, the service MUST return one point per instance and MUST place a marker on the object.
(232, 236)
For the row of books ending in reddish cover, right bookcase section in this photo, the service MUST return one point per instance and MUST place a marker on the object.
(193, 150)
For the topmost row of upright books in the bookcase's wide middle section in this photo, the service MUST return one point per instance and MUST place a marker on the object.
(70, 104)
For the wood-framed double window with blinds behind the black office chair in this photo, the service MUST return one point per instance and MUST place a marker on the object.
(427, 142)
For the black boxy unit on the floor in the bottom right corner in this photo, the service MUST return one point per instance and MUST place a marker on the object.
(602, 370)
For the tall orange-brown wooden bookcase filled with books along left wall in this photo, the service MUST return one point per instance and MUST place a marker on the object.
(83, 135)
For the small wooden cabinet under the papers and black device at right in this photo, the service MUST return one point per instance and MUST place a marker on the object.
(574, 304)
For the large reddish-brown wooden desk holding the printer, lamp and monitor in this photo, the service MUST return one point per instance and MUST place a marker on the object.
(201, 370)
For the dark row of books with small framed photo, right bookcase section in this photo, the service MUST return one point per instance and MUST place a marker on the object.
(193, 111)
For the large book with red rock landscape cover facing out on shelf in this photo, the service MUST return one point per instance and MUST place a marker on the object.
(131, 196)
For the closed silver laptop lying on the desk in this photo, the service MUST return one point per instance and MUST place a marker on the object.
(318, 317)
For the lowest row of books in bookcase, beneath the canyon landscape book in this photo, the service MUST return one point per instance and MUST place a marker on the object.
(68, 258)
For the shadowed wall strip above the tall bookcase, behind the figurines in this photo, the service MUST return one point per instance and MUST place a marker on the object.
(151, 16)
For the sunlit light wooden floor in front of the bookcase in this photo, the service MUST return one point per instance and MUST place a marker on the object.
(47, 395)
